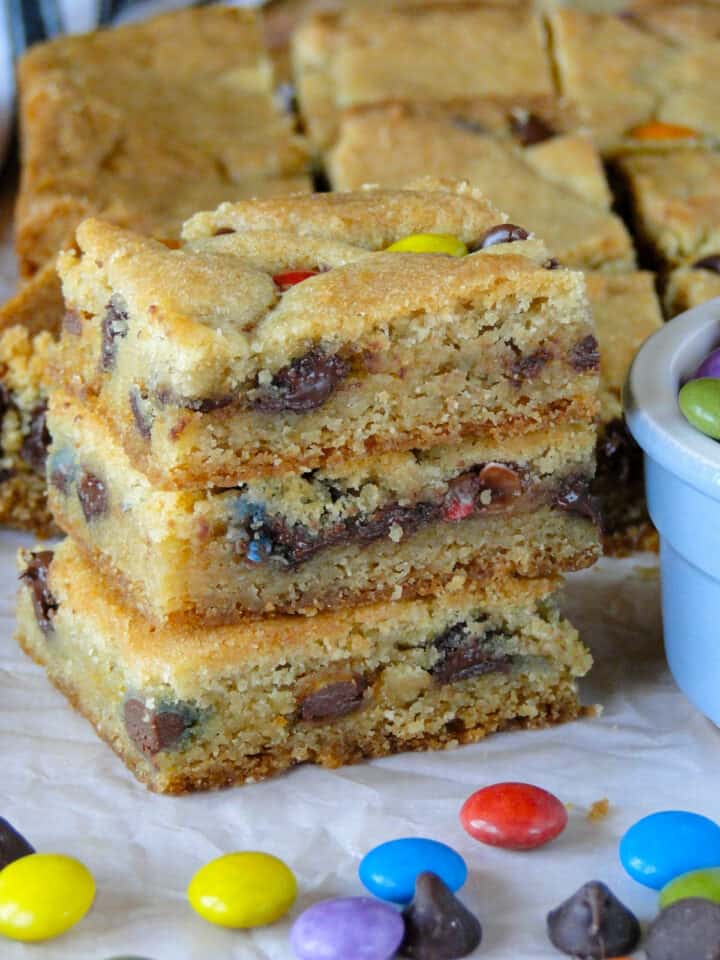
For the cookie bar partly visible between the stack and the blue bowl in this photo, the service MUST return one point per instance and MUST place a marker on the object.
(627, 312)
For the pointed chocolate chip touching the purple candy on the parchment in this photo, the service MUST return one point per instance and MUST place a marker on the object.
(437, 925)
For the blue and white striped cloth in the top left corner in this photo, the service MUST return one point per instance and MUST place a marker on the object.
(25, 22)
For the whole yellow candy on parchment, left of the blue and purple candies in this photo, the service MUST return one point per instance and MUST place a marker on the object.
(243, 890)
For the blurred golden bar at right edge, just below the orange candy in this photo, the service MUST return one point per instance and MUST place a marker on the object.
(675, 200)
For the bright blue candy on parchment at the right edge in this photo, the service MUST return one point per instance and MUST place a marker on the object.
(665, 845)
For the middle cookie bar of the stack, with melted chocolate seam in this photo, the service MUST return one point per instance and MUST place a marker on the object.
(390, 526)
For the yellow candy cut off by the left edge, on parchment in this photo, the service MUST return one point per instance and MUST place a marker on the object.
(43, 895)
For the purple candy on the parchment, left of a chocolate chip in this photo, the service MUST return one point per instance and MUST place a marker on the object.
(348, 928)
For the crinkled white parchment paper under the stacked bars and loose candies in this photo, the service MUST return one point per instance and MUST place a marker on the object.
(66, 791)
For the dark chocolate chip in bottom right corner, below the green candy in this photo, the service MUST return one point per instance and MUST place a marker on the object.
(686, 930)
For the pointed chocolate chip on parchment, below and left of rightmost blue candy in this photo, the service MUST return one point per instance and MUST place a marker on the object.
(593, 924)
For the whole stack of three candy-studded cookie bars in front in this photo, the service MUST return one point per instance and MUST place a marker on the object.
(320, 486)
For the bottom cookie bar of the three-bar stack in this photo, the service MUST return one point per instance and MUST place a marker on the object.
(195, 708)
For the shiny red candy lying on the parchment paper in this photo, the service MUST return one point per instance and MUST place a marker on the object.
(516, 816)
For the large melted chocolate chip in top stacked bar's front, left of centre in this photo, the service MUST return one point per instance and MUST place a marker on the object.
(303, 385)
